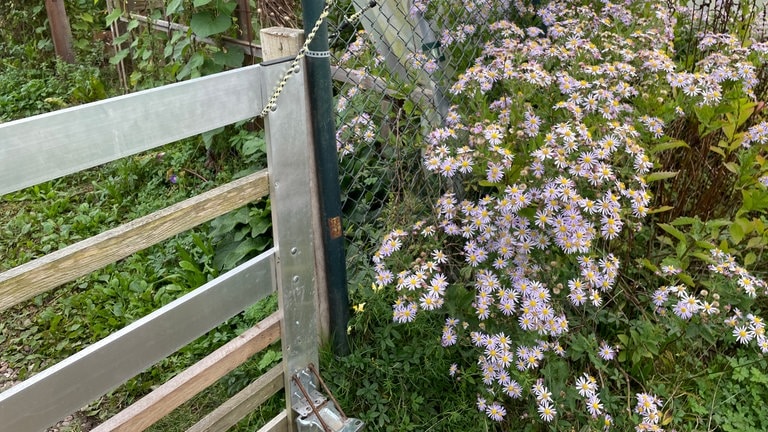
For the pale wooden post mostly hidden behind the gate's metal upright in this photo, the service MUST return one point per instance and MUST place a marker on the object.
(279, 42)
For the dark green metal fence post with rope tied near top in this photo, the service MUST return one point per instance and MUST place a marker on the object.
(318, 64)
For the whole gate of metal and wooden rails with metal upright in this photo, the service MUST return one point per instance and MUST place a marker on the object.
(52, 145)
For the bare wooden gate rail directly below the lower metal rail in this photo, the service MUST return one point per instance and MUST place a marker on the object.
(195, 379)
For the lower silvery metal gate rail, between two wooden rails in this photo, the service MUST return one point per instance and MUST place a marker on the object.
(62, 389)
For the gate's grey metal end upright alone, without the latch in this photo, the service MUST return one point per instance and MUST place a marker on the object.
(288, 136)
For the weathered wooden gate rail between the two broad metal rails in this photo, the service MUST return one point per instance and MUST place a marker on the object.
(79, 259)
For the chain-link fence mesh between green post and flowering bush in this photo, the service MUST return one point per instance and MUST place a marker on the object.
(394, 63)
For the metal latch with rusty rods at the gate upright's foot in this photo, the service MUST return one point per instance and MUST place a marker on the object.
(316, 412)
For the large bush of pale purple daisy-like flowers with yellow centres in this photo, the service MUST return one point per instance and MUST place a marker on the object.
(531, 256)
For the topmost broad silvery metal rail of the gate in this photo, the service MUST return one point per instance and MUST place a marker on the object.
(48, 146)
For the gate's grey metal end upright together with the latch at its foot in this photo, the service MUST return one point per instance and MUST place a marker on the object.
(310, 406)
